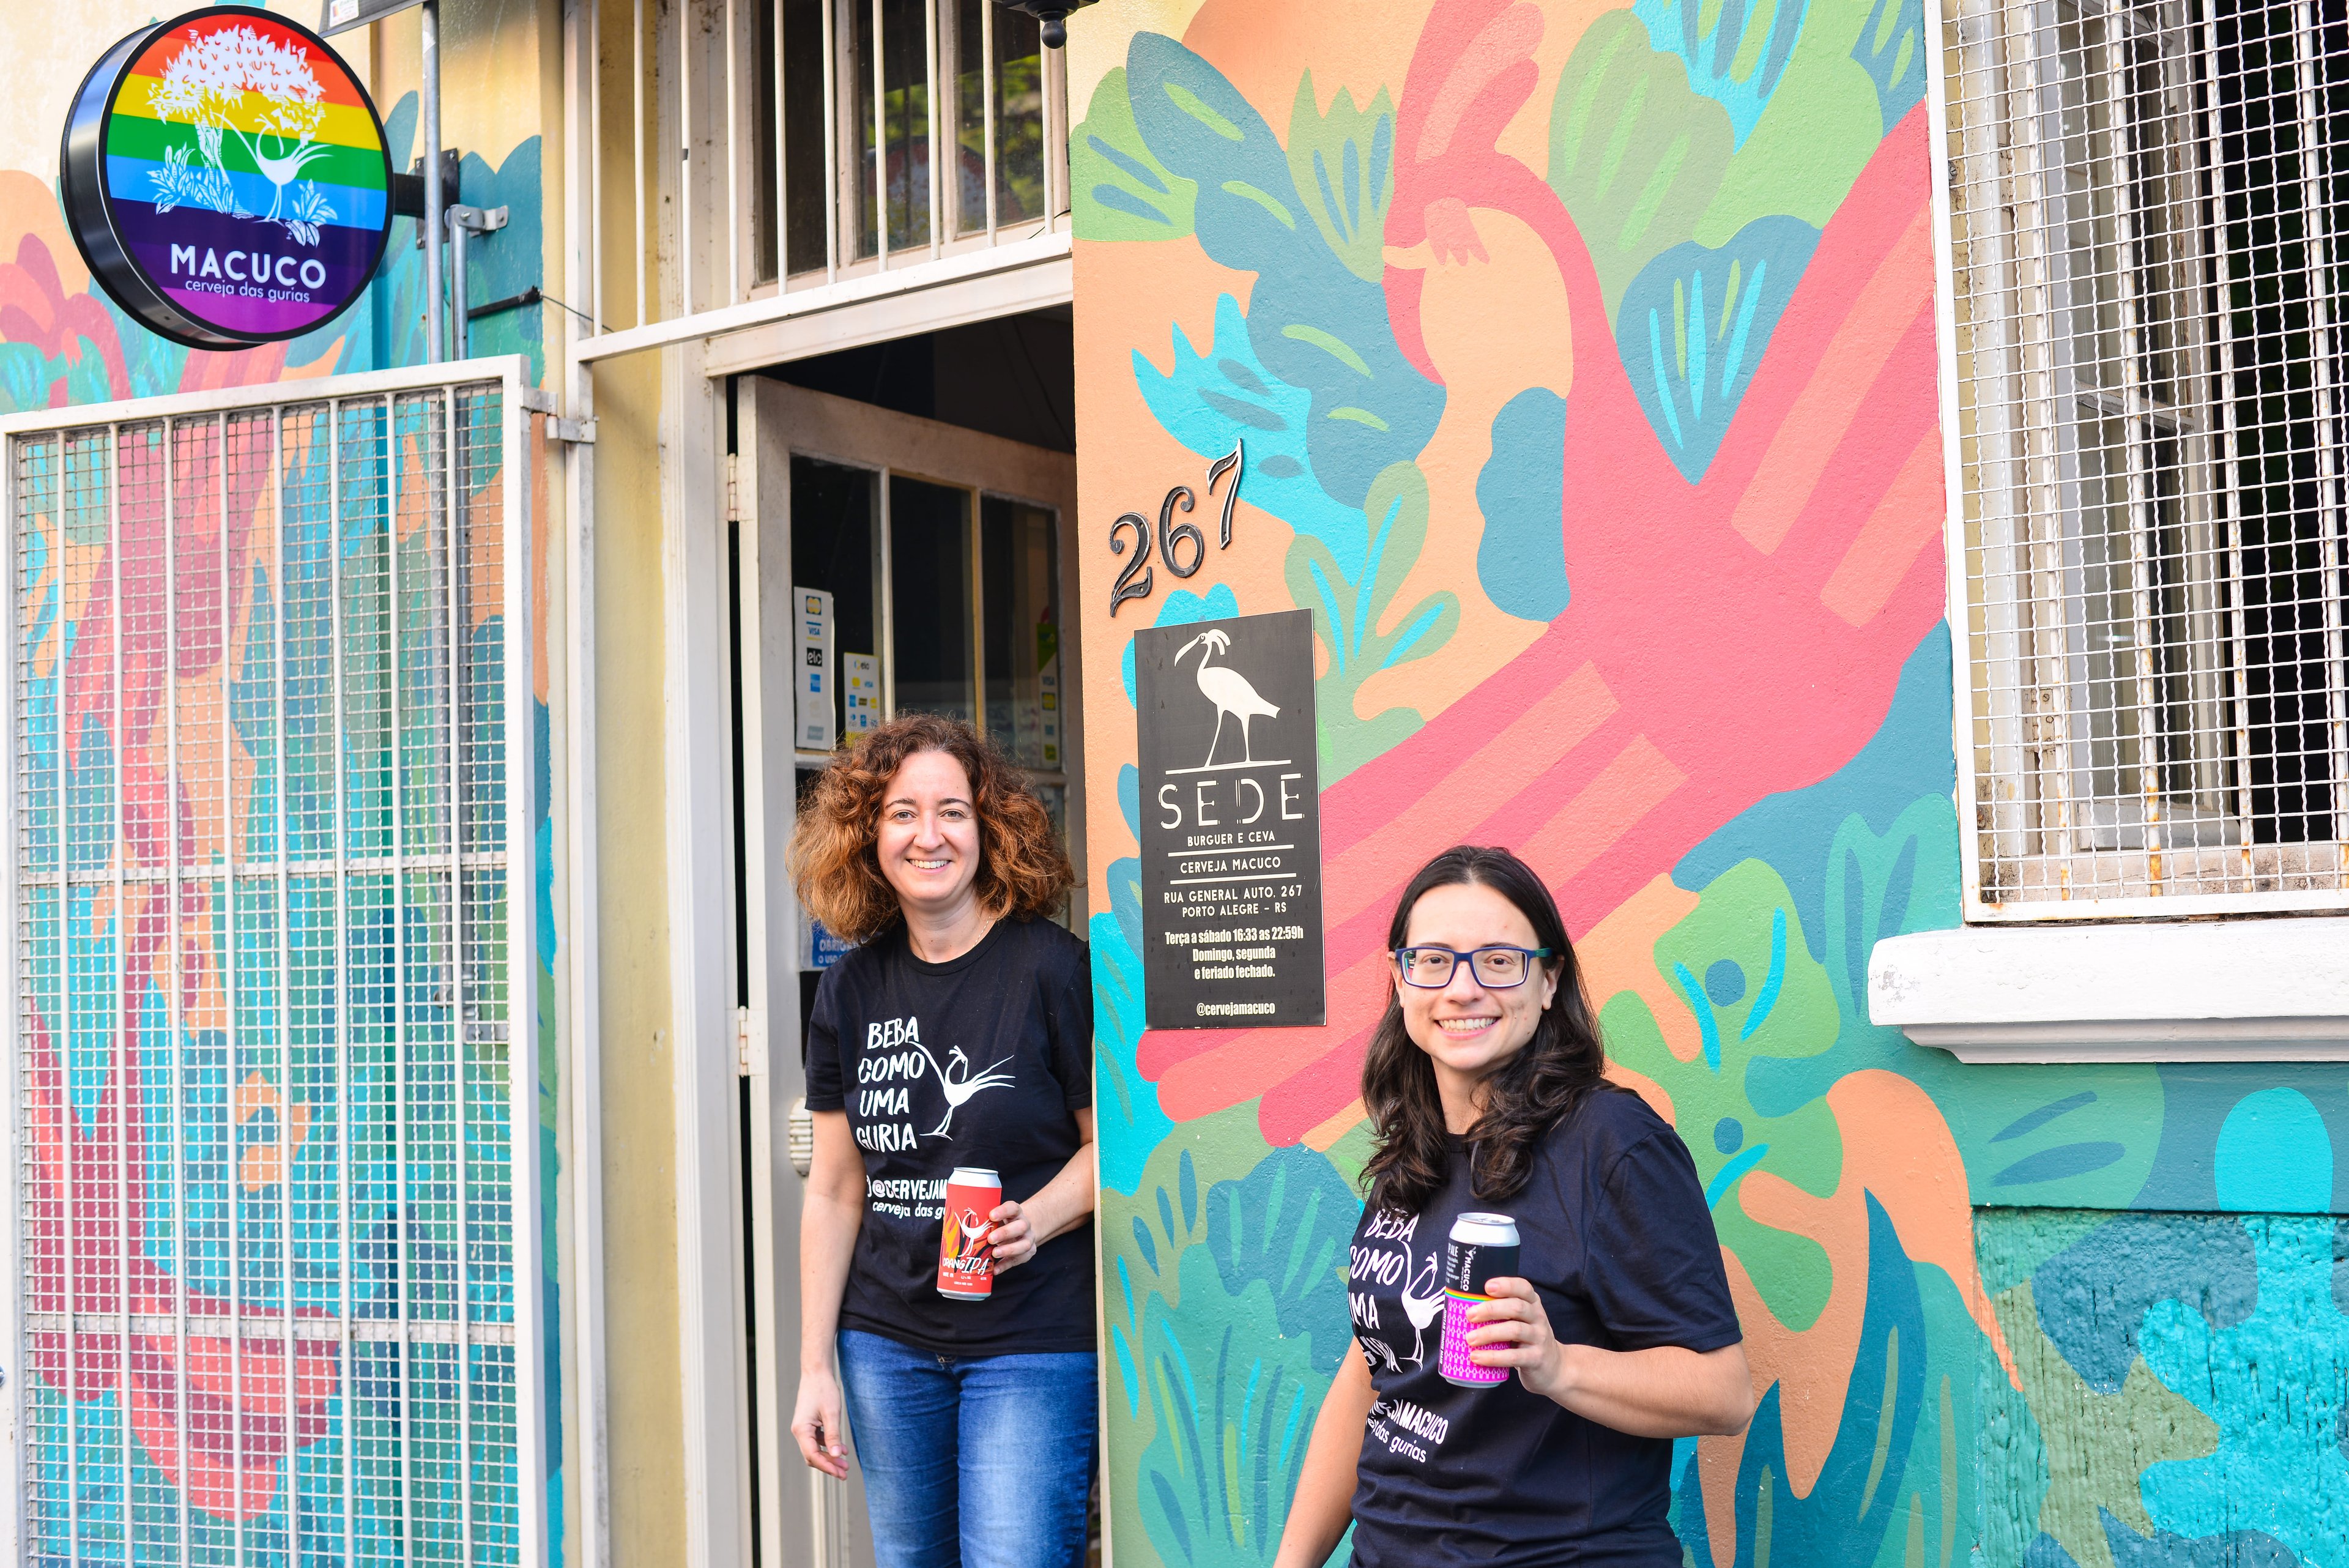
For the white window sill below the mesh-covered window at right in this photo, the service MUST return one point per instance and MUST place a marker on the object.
(2273, 991)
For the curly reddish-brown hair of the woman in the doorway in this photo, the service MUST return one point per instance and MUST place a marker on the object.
(837, 871)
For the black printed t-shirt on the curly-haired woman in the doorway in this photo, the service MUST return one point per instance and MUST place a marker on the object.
(981, 1061)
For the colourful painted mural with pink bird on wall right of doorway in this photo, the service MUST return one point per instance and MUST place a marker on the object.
(1587, 373)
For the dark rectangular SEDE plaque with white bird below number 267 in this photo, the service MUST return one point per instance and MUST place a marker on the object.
(1230, 824)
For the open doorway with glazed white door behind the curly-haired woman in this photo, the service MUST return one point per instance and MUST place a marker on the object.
(884, 561)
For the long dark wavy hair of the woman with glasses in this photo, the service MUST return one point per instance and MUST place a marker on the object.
(1528, 1097)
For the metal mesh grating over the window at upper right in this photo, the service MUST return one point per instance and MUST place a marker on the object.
(2146, 210)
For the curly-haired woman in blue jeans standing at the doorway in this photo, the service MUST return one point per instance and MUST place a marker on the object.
(957, 1033)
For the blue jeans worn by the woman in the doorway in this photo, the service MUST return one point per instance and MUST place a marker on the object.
(971, 1461)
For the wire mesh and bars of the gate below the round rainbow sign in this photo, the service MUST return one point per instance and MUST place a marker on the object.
(264, 1099)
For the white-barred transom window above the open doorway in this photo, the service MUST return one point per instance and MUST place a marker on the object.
(807, 142)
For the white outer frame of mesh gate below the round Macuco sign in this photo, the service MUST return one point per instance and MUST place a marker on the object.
(511, 375)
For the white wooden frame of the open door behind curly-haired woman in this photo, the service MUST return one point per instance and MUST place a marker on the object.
(800, 1515)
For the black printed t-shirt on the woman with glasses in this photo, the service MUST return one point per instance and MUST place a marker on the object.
(1620, 1245)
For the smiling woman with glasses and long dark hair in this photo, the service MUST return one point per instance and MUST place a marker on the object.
(1486, 1094)
